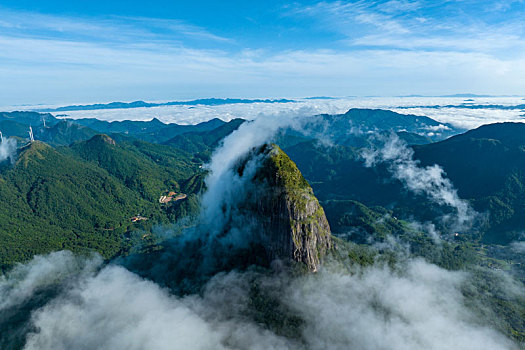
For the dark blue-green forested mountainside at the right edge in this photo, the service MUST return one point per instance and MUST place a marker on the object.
(487, 165)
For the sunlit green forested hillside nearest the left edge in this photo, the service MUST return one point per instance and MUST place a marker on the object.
(51, 201)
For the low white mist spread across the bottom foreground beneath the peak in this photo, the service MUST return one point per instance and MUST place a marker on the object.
(412, 305)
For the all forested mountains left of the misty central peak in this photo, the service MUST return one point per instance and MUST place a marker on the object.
(80, 189)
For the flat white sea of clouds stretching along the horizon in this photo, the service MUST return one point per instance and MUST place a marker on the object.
(437, 108)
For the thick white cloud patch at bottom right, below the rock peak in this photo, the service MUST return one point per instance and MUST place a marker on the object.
(380, 308)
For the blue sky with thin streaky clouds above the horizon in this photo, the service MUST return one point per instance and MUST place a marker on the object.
(88, 51)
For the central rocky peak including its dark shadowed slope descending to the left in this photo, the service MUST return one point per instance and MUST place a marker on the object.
(273, 214)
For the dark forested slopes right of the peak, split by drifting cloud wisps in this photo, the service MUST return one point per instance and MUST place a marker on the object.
(486, 165)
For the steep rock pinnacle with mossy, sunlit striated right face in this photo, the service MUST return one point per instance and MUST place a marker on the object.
(288, 219)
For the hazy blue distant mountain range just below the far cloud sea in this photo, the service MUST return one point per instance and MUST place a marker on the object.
(351, 129)
